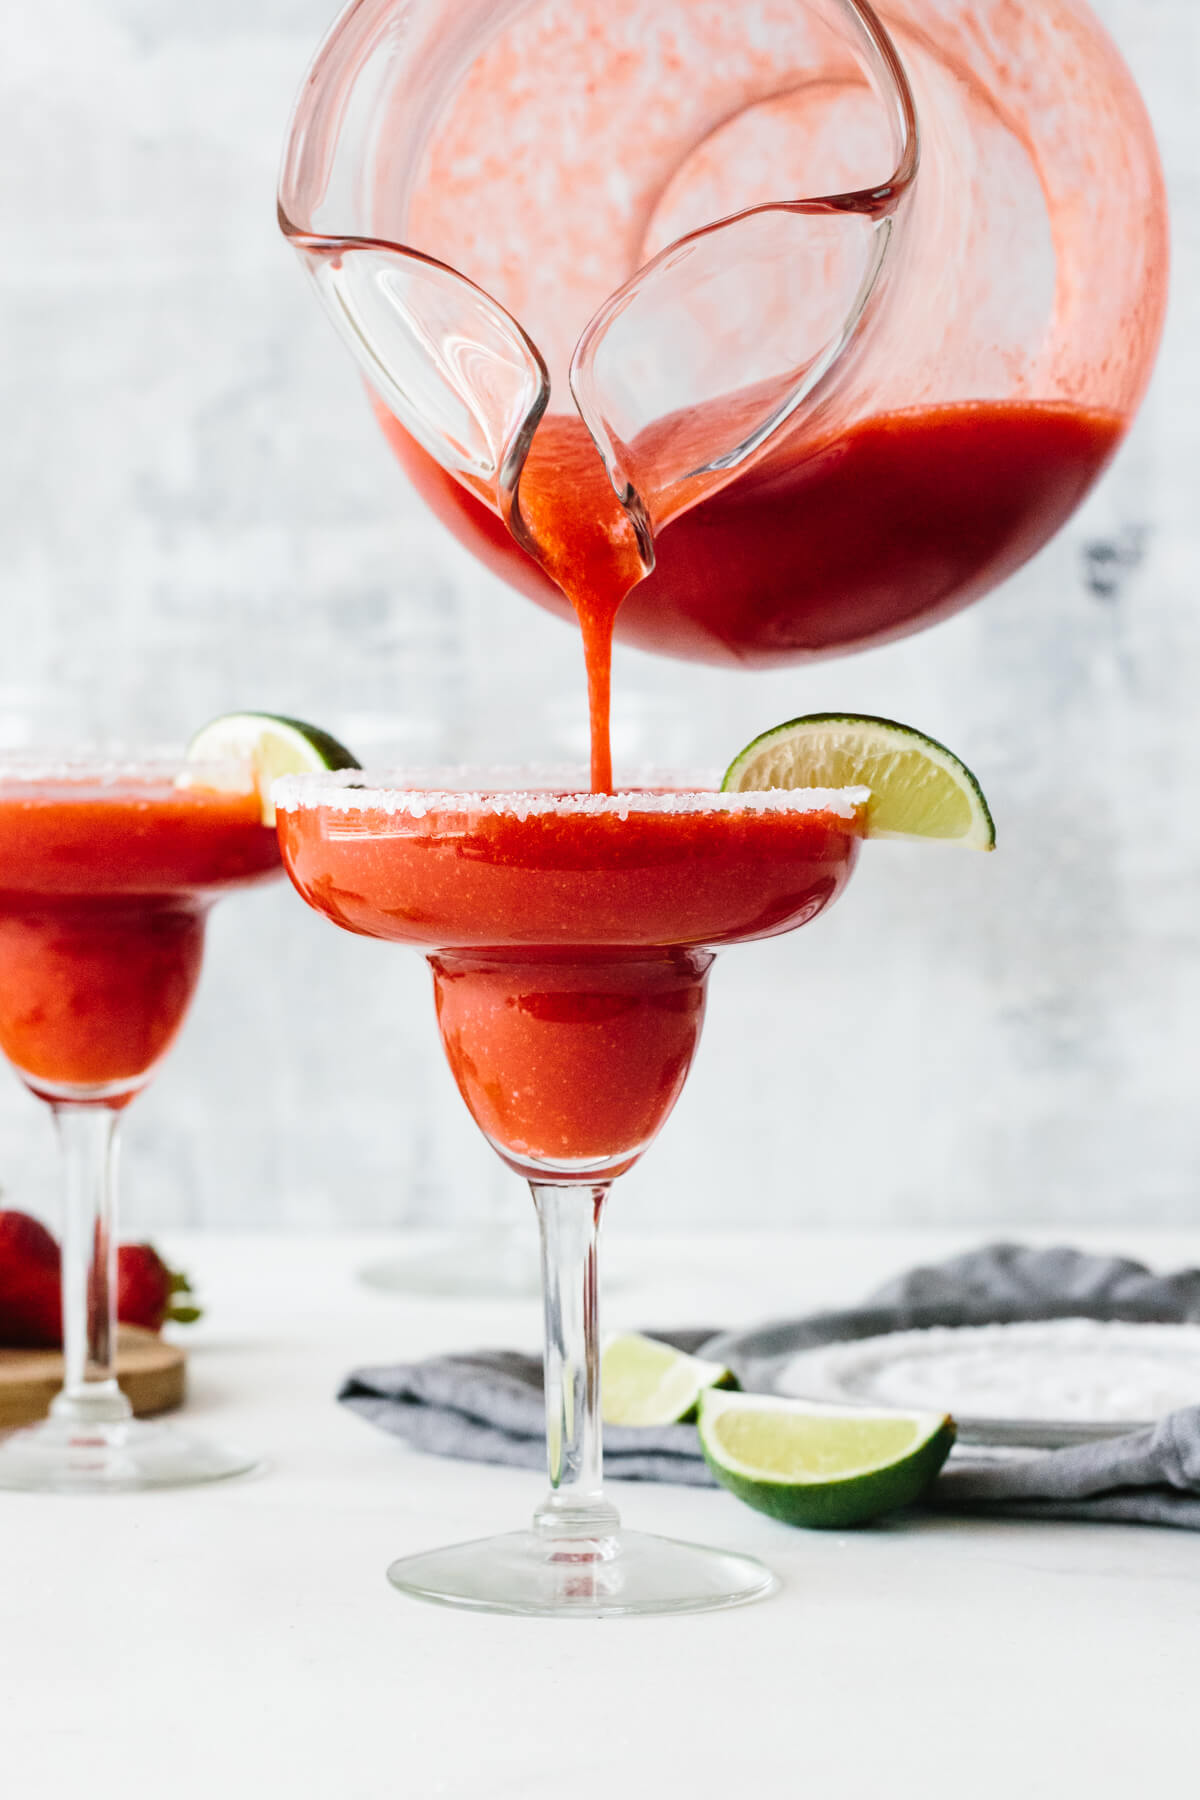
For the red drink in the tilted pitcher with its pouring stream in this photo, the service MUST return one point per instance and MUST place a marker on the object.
(825, 546)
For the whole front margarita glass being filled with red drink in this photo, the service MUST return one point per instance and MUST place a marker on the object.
(571, 939)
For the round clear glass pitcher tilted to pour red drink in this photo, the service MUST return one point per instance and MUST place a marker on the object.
(818, 321)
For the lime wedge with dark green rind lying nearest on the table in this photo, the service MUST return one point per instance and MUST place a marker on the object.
(819, 1466)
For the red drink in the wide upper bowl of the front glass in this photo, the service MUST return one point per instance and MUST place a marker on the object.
(460, 879)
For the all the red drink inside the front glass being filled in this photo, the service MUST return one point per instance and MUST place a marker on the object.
(573, 948)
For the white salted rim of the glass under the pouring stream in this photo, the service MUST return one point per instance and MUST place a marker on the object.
(542, 791)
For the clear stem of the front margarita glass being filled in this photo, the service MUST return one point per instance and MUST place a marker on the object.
(575, 1509)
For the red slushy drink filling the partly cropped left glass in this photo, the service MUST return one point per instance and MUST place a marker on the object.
(103, 899)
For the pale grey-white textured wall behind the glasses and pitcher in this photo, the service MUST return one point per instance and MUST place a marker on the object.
(197, 514)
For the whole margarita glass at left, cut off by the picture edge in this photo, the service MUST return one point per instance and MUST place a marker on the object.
(107, 876)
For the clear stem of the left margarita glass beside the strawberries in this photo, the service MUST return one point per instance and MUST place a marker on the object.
(89, 1144)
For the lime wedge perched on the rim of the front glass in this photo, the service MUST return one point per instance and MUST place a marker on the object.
(918, 787)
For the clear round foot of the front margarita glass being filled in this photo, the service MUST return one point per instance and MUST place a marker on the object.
(625, 1574)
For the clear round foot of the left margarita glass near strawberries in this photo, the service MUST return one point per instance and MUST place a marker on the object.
(114, 1457)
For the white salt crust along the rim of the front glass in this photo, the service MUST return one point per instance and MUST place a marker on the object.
(363, 791)
